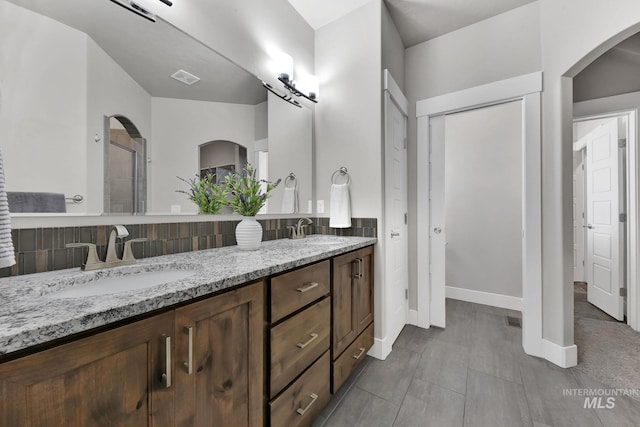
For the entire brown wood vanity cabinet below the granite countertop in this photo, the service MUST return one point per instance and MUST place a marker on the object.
(227, 360)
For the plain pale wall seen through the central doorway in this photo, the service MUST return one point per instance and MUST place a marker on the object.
(483, 199)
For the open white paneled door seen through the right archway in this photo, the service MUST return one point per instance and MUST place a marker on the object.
(605, 231)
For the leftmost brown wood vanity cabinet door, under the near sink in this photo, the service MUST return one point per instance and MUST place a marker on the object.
(109, 379)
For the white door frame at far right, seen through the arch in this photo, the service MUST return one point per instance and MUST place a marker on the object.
(632, 202)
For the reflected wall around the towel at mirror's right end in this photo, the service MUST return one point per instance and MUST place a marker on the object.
(290, 150)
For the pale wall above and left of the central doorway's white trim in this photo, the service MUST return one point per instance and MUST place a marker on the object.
(507, 45)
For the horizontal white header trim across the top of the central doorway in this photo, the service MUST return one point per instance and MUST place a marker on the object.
(479, 96)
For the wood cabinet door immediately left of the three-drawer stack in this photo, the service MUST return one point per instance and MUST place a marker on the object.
(219, 360)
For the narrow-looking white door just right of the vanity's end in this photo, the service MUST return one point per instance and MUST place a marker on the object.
(397, 270)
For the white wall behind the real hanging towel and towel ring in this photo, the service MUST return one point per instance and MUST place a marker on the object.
(348, 119)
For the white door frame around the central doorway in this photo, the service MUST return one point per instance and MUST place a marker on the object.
(431, 301)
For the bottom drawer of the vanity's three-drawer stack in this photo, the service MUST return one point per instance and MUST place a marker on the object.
(303, 400)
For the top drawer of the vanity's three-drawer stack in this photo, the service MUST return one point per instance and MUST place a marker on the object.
(292, 291)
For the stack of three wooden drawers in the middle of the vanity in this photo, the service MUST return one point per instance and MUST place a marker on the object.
(299, 340)
